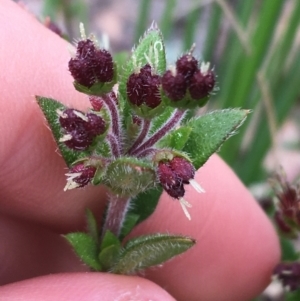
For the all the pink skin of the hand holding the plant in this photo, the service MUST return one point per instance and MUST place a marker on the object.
(236, 248)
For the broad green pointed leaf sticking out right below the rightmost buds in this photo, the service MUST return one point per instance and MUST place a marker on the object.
(210, 131)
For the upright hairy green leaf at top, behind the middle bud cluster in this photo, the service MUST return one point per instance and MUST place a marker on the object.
(150, 49)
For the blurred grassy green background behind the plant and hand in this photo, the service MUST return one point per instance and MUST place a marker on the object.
(254, 48)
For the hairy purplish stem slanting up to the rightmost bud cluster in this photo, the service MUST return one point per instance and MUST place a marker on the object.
(172, 122)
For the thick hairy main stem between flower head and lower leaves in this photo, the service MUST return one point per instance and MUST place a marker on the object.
(116, 211)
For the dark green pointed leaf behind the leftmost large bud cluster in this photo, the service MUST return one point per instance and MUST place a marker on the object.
(49, 107)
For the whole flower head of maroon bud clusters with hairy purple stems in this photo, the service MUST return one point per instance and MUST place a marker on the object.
(148, 91)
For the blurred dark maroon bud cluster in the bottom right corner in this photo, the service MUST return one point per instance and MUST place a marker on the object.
(289, 274)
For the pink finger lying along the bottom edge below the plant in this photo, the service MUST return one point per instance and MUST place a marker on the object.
(85, 287)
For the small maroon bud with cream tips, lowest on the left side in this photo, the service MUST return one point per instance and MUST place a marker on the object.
(80, 175)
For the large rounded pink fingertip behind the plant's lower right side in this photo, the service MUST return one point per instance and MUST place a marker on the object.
(237, 247)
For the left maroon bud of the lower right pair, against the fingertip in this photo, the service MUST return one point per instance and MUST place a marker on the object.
(169, 180)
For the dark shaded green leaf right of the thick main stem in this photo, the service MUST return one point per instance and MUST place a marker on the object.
(145, 203)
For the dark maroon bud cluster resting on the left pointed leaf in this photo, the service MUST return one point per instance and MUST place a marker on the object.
(80, 129)
